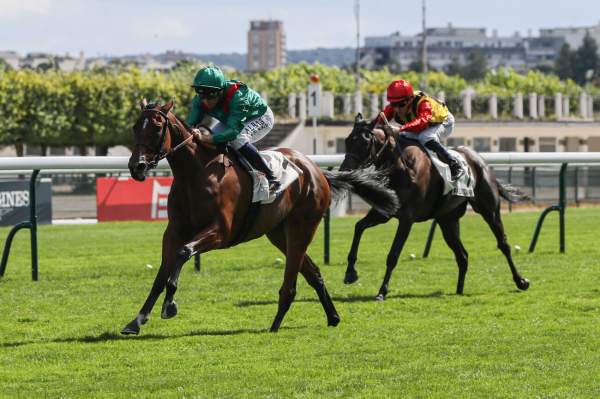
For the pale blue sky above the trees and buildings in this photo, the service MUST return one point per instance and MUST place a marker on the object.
(118, 27)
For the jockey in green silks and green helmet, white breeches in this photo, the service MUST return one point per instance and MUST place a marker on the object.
(244, 117)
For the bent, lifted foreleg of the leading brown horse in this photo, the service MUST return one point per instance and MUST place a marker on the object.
(206, 240)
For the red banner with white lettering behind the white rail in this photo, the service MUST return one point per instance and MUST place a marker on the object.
(127, 199)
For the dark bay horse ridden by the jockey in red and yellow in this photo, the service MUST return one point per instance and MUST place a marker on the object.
(420, 190)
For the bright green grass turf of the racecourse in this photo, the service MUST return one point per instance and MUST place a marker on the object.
(59, 337)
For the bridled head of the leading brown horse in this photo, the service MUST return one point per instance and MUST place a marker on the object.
(152, 140)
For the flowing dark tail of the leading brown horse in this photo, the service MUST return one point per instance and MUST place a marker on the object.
(369, 184)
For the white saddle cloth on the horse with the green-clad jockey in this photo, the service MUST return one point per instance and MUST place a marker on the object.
(285, 171)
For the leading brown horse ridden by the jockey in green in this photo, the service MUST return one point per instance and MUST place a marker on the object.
(209, 207)
